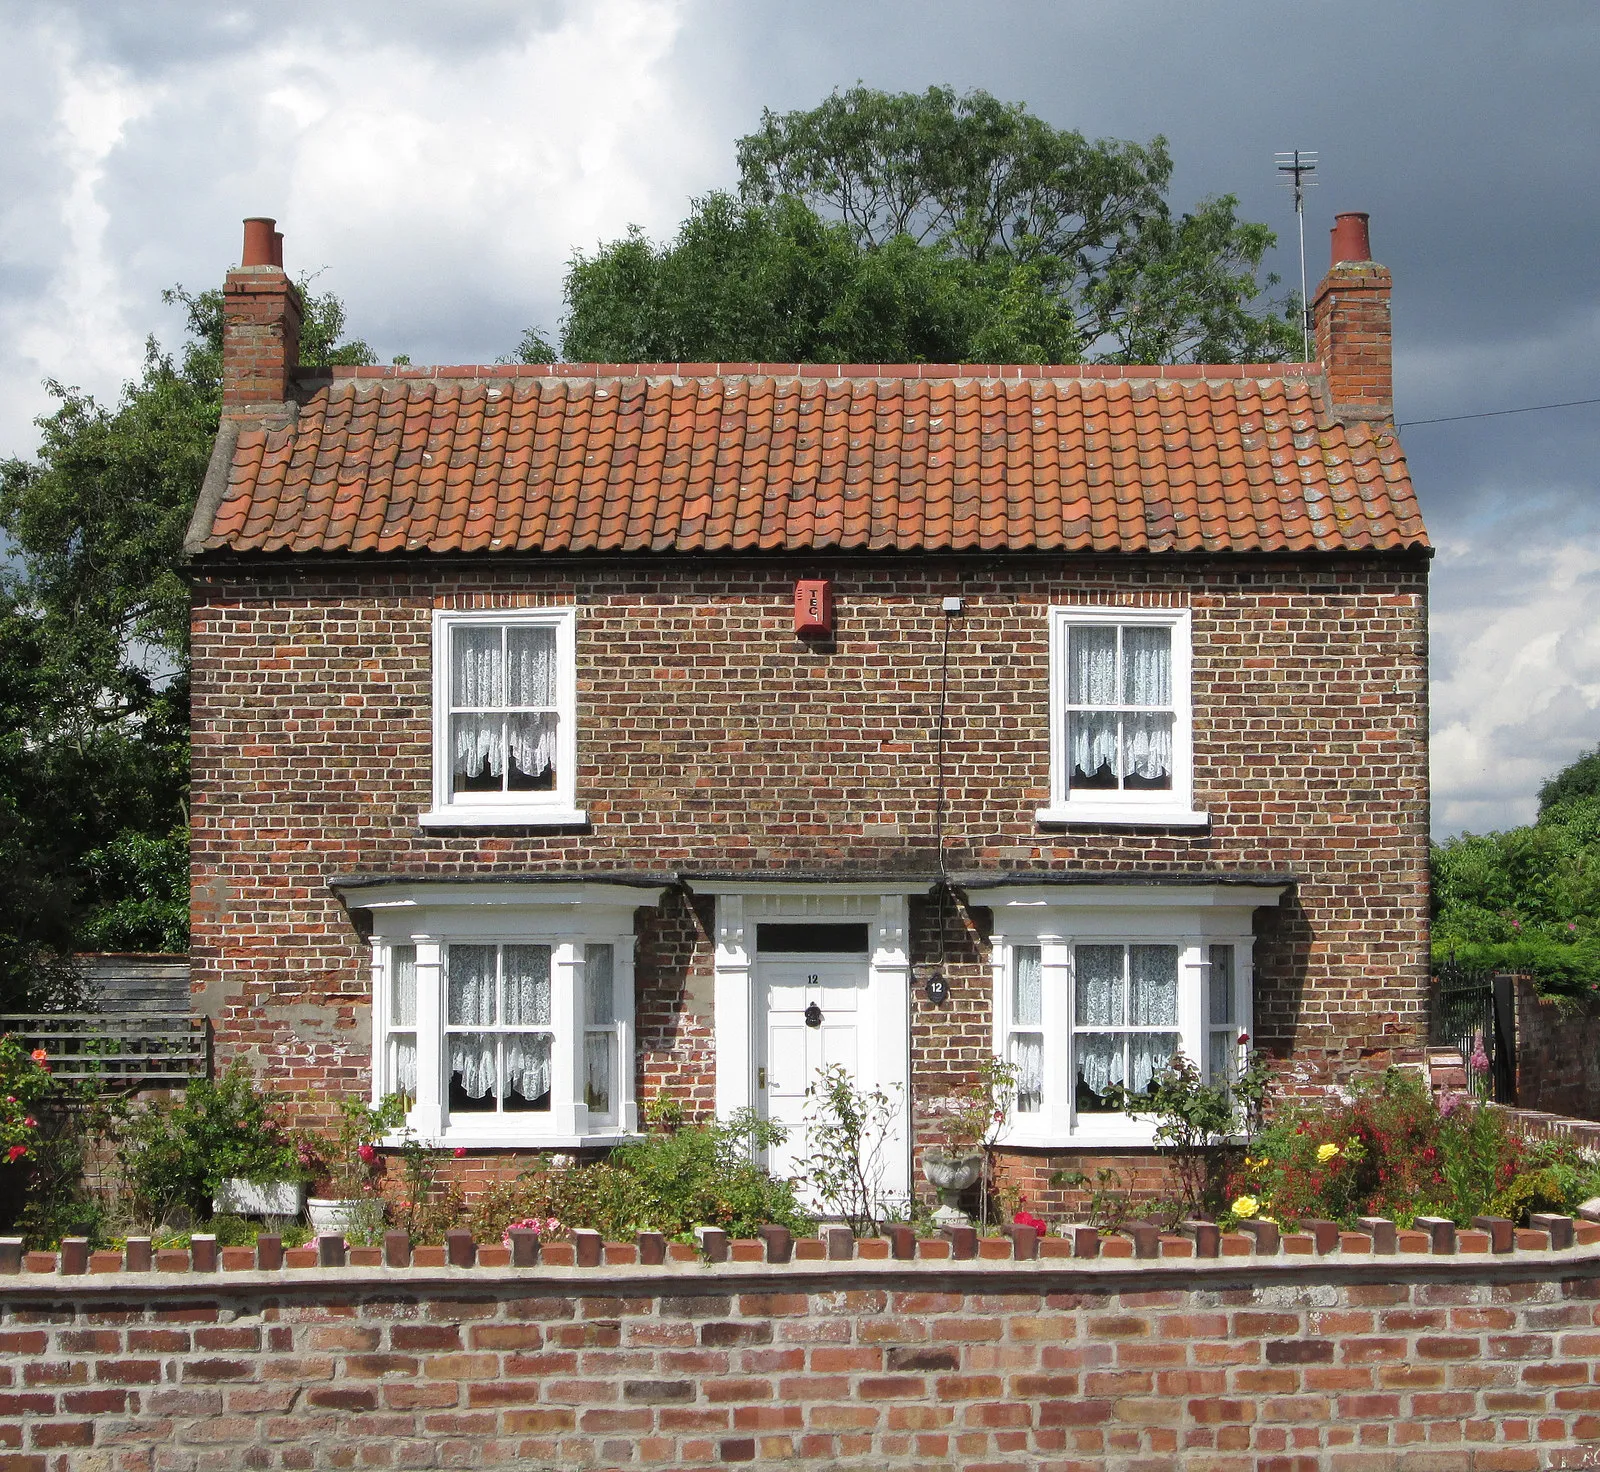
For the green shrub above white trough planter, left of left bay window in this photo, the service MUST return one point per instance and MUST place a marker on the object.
(178, 1156)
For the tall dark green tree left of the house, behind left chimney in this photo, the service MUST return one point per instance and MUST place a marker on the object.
(95, 655)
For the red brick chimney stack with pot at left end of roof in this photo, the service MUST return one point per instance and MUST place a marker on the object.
(262, 322)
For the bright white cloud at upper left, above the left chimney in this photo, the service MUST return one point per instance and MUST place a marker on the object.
(442, 185)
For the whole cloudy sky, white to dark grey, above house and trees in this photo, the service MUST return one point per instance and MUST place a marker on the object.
(439, 164)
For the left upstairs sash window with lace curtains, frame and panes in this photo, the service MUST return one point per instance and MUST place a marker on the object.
(505, 697)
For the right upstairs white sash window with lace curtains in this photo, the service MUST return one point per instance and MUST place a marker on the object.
(1121, 719)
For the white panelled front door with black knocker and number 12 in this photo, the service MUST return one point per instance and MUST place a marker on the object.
(815, 1017)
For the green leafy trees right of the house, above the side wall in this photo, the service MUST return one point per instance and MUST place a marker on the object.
(1529, 900)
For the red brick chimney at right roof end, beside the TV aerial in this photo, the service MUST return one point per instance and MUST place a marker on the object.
(1351, 322)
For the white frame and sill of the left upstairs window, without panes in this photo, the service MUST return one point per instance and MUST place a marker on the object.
(553, 809)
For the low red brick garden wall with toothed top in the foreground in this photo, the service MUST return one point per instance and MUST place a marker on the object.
(842, 1358)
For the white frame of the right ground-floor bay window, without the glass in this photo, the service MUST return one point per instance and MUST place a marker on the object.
(1060, 919)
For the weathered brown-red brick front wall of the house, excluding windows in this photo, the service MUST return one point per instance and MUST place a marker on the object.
(711, 738)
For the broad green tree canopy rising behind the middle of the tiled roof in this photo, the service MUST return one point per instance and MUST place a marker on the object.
(938, 228)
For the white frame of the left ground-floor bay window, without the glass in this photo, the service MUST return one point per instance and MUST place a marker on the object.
(566, 918)
